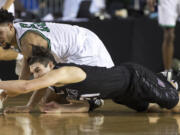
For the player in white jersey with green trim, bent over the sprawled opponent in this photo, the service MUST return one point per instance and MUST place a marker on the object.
(68, 43)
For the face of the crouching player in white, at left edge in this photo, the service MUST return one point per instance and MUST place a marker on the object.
(5, 34)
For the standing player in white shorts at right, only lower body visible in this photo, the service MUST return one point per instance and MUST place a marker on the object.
(168, 12)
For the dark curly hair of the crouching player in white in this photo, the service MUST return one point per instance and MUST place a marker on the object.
(6, 16)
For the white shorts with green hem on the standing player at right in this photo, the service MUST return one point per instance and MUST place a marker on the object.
(168, 12)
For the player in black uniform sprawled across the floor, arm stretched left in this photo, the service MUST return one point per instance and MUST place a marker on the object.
(128, 84)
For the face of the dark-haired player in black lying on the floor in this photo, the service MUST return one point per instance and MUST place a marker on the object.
(38, 69)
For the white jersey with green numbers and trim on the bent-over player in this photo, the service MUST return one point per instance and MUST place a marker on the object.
(69, 43)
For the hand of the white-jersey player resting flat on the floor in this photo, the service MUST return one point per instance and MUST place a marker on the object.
(17, 109)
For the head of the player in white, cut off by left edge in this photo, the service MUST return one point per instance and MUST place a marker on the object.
(7, 31)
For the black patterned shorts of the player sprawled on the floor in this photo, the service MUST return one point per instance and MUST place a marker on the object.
(147, 87)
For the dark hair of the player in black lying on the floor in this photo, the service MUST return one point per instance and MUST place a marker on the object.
(41, 55)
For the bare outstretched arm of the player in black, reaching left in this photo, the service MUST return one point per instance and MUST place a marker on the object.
(62, 76)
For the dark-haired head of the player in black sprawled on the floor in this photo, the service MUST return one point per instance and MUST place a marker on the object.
(41, 61)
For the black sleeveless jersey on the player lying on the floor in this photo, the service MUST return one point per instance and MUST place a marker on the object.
(107, 82)
